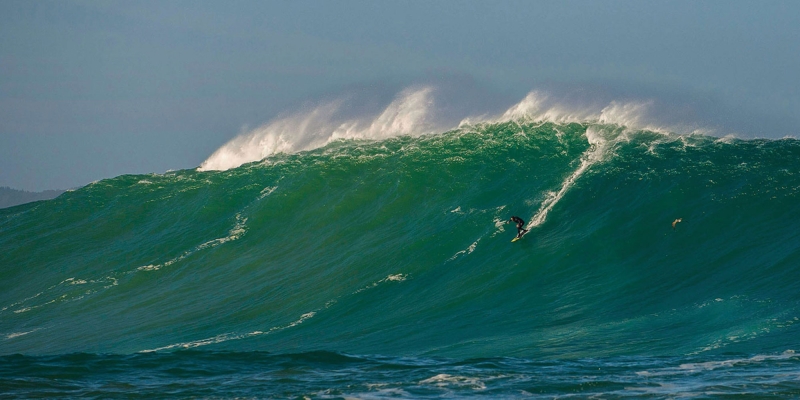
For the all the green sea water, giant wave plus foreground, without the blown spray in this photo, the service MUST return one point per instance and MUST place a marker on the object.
(383, 268)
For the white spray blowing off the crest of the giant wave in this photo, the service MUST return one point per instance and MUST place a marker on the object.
(414, 112)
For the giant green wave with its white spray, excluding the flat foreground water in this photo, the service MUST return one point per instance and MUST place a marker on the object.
(398, 244)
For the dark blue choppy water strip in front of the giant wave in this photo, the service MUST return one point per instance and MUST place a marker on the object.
(331, 375)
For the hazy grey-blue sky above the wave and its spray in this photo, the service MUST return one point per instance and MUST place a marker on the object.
(96, 89)
